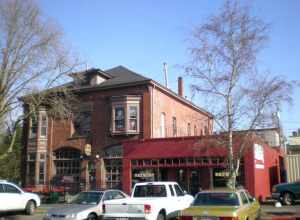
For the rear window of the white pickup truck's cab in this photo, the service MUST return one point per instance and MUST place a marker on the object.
(150, 191)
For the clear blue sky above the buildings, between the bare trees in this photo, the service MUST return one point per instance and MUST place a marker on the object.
(142, 34)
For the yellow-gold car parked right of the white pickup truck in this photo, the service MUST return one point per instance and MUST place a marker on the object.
(224, 204)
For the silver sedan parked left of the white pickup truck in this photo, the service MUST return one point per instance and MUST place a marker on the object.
(86, 205)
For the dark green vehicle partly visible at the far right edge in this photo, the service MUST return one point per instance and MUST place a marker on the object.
(287, 192)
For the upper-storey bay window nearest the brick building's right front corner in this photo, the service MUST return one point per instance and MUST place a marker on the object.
(125, 115)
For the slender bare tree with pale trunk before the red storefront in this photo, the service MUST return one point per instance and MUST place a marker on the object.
(223, 66)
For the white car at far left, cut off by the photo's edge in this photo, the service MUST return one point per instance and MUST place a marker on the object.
(13, 198)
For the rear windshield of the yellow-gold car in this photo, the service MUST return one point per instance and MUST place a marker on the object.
(216, 199)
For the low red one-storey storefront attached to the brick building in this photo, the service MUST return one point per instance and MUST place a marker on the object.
(198, 163)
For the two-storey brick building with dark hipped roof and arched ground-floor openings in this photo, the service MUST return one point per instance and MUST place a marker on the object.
(115, 105)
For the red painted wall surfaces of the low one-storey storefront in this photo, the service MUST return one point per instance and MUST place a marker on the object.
(257, 181)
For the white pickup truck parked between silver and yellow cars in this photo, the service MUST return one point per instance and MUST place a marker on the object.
(149, 201)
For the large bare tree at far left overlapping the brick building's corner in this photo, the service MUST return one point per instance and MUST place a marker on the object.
(32, 58)
